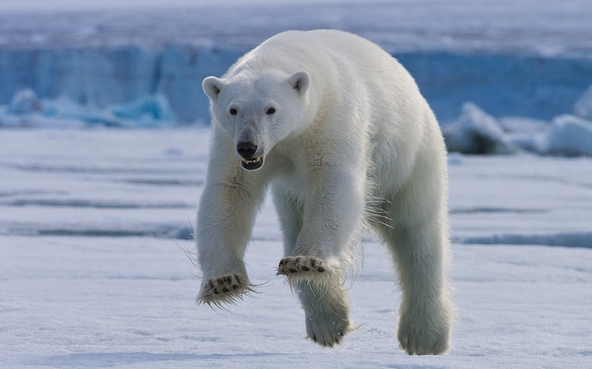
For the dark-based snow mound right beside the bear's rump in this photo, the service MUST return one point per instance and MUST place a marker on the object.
(475, 132)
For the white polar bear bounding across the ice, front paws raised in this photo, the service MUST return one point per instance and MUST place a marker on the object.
(339, 131)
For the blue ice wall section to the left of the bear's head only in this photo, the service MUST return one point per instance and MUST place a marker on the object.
(122, 75)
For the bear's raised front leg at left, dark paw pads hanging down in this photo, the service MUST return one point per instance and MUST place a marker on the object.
(226, 215)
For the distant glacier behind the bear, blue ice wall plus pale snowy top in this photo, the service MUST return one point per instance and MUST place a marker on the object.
(511, 58)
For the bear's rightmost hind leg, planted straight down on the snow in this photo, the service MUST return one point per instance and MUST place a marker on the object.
(418, 241)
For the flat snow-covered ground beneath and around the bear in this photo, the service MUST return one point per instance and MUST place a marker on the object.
(95, 266)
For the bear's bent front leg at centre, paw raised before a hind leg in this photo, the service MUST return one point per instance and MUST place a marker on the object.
(329, 214)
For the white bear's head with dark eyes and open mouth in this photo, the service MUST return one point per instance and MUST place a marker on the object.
(258, 111)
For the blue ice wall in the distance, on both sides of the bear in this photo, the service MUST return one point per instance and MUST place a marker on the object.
(503, 85)
